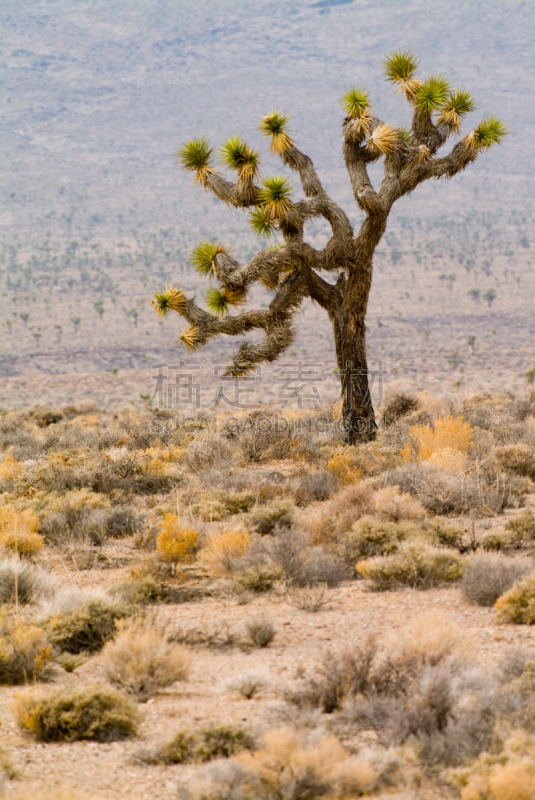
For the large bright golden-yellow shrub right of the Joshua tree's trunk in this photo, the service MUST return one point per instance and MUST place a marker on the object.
(446, 444)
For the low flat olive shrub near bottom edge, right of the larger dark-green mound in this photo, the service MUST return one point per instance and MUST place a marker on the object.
(206, 744)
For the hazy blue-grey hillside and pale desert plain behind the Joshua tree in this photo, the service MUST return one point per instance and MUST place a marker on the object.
(96, 215)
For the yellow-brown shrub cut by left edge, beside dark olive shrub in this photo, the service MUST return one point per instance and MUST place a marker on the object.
(24, 652)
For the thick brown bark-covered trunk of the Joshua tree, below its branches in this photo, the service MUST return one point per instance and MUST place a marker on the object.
(350, 343)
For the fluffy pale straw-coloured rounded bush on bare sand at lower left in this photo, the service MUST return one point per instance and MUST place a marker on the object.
(141, 660)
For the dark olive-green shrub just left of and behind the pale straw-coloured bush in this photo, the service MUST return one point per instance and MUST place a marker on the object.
(87, 626)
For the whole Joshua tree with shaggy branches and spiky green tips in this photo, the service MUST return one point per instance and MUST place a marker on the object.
(293, 270)
